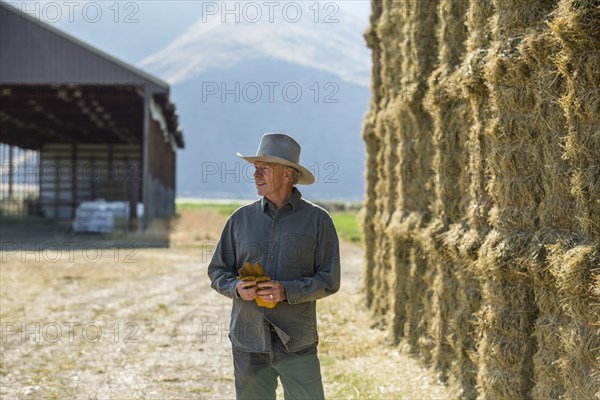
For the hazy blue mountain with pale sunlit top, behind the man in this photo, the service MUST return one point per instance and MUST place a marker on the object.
(233, 80)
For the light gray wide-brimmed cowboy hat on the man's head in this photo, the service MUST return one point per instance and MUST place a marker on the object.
(281, 149)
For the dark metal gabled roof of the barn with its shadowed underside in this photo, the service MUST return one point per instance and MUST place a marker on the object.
(54, 85)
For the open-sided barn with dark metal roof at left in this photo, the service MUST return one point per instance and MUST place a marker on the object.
(77, 124)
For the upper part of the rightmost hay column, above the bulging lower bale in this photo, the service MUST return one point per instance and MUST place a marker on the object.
(578, 32)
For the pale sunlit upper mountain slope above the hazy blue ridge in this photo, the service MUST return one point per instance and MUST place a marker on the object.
(218, 41)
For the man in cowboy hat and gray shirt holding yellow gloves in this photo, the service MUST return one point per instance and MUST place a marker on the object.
(296, 243)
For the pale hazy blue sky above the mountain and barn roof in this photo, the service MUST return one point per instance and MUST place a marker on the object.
(112, 31)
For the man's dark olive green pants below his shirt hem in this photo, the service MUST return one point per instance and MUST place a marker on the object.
(256, 373)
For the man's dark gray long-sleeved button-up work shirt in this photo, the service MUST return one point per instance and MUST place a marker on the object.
(298, 245)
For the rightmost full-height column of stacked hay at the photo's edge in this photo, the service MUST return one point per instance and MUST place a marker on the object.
(577, 28)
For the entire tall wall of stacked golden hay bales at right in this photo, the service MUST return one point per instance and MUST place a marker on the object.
(482, 215)
